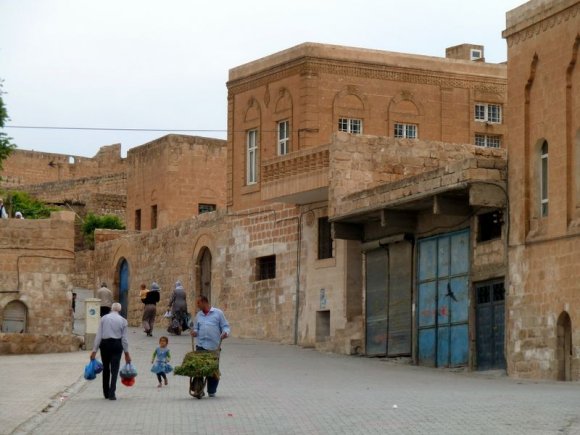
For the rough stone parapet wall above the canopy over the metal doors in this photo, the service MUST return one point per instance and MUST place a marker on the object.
(398, 168)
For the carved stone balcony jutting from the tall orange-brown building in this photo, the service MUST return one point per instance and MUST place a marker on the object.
(297, 178)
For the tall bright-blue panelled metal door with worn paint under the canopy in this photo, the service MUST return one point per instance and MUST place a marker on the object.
(443, 300)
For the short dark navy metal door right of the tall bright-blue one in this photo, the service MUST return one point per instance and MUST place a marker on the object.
(490, 326)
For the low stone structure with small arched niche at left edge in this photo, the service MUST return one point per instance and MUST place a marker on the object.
(37, 263)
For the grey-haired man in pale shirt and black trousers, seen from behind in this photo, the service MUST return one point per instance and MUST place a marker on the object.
(112, 340)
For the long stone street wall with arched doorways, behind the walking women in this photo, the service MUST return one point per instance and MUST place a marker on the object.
(263, 309)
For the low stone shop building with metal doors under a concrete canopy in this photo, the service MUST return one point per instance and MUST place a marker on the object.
(432, 246)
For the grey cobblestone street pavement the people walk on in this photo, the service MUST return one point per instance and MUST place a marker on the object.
(269, 388)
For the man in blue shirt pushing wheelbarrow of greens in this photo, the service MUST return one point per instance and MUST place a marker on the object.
(210, 327)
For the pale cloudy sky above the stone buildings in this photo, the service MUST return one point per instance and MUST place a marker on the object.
(163, 65)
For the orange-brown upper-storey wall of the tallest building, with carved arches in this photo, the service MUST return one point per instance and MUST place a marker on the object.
(312, 86)
